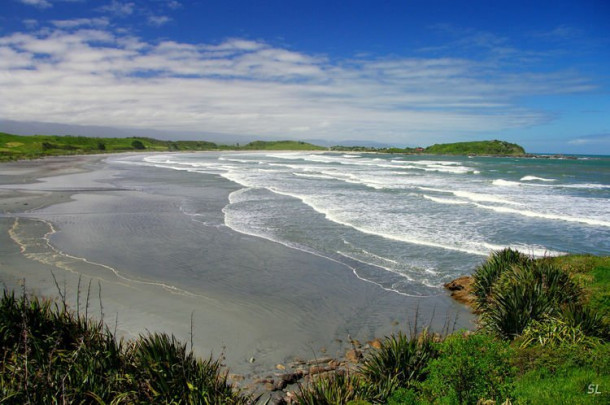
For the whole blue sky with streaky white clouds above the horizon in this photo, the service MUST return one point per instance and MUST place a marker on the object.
(401, 73)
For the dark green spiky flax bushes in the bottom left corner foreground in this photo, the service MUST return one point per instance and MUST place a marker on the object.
(51, 356)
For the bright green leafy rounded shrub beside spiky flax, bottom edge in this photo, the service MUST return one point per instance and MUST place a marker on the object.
(468, 369)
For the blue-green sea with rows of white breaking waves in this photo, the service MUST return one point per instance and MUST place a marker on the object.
(407, 223)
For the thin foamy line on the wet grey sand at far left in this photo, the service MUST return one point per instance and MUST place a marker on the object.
(54, 254)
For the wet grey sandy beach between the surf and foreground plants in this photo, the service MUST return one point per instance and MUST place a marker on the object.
(118, 235)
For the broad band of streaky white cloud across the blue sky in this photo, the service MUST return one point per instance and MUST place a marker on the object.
(96, 76)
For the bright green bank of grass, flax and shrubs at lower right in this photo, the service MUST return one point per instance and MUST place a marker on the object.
(550, 344)
